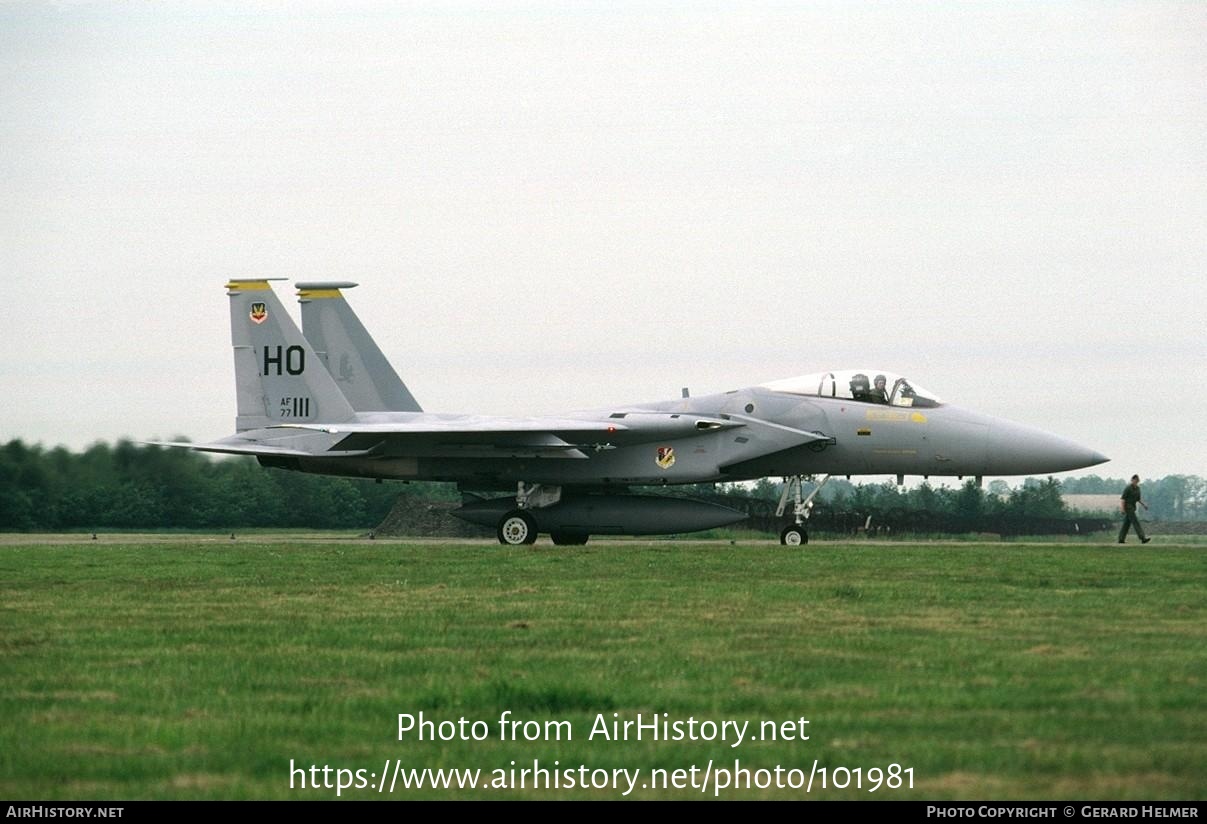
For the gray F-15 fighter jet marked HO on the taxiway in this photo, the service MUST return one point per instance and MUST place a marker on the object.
(329, 402)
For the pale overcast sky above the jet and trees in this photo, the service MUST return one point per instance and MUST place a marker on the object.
(557, 207)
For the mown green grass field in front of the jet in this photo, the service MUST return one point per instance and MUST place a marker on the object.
(191, 668)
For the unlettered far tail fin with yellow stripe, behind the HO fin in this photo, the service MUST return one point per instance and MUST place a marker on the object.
(353, 358)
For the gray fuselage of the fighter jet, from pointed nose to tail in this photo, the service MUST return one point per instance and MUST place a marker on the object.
(766, 440)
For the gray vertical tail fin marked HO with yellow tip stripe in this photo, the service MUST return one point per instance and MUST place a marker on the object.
(279, 378)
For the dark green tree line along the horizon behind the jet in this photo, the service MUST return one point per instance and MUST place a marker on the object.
(136, 487)
